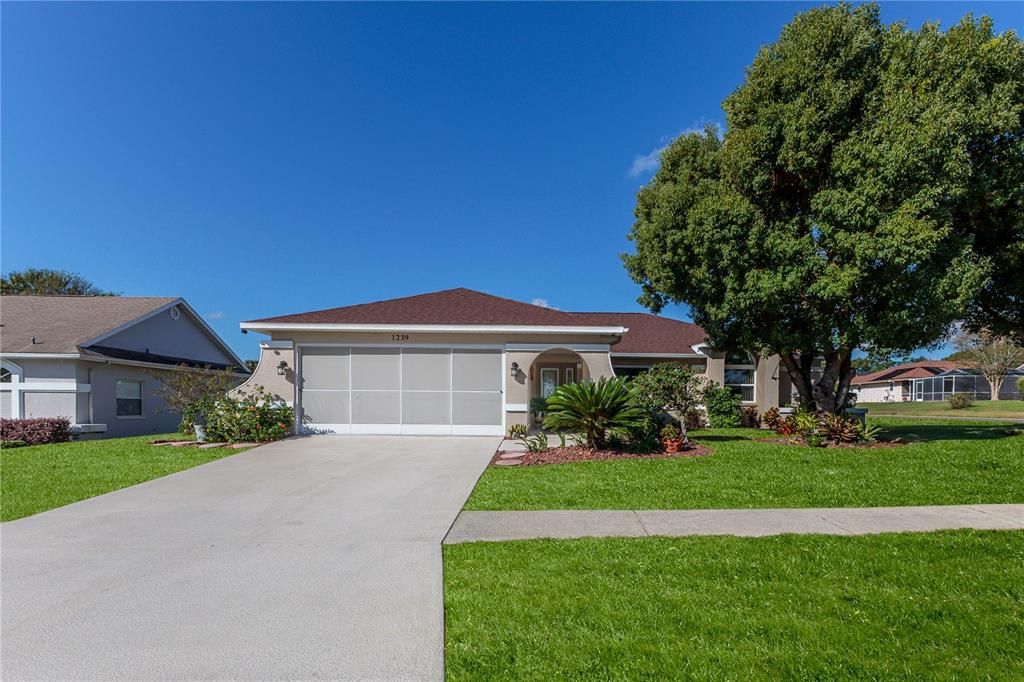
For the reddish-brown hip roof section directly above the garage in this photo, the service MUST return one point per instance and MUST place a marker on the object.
(453, 307)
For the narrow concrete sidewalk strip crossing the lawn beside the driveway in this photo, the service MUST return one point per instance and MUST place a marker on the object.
(498, 526)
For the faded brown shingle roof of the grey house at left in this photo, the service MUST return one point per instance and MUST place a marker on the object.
(60, 324)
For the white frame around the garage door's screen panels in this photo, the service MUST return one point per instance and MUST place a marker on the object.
(401, 430)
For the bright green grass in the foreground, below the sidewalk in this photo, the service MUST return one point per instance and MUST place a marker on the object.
(946, 606)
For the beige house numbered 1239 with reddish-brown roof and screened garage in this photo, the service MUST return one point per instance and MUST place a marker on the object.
(461, 362)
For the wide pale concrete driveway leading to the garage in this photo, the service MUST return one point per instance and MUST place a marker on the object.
(309, 559)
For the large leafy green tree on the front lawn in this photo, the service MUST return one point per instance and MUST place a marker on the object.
(861, 195)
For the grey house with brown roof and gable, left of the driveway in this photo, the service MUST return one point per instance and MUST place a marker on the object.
(99, 360)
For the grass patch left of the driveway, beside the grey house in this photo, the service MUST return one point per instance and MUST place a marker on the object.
(41, 478)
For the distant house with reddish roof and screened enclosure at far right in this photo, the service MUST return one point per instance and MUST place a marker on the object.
(929, 380)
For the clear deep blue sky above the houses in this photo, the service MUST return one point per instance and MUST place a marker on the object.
(265, 159)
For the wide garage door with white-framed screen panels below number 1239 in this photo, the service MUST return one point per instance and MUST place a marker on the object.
(353, 390)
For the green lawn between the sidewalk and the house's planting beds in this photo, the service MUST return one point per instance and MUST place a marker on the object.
(952, 462)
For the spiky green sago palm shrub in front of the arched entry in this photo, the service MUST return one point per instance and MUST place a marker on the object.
(593, 409)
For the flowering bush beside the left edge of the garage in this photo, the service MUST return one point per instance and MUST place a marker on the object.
(257, 416)
